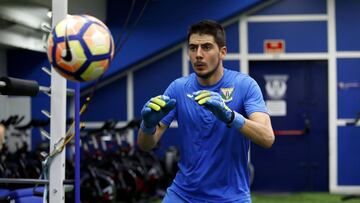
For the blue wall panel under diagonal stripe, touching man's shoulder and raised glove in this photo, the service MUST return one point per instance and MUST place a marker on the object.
(153, 79)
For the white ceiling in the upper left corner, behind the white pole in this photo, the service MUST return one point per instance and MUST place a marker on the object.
(22, 21)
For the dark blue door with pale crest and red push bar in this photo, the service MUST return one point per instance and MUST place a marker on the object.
(296, 93)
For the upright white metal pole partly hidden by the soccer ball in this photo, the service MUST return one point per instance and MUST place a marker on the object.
(58, 117)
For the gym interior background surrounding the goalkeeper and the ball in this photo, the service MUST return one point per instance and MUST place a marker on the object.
(304, 55)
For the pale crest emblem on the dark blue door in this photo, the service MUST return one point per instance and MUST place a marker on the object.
(276, 86)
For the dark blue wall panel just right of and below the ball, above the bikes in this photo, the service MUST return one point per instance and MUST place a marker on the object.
(108, 102)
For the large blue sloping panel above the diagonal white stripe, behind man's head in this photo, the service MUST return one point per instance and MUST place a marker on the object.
(165, 24)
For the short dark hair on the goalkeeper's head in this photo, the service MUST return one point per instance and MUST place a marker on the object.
(209, 27)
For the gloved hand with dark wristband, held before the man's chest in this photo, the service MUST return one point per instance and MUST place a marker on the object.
(214, 102)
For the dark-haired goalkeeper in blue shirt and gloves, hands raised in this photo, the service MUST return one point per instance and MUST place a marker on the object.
(219, 112)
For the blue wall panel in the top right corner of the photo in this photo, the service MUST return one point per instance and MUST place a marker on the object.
(348, 25)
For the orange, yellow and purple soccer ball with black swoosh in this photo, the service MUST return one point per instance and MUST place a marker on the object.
(80, 48)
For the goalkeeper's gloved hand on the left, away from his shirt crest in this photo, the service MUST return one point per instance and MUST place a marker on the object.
(154, 110)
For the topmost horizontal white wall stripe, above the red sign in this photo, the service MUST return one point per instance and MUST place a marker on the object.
(287, 18)
